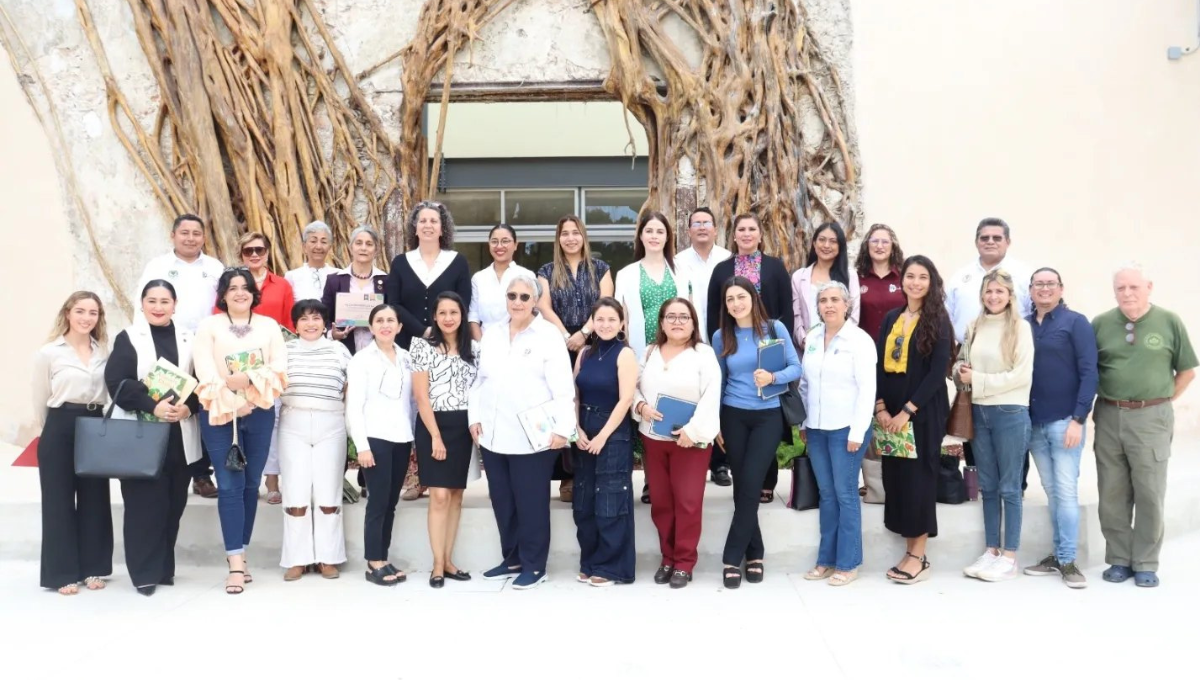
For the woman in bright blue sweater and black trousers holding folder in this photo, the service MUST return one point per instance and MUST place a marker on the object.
(752, 419)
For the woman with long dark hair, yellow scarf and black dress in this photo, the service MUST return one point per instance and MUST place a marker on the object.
(914, 356)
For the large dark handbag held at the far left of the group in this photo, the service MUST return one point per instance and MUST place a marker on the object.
(121, 449)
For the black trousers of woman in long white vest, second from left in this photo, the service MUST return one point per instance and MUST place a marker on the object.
(153, 510)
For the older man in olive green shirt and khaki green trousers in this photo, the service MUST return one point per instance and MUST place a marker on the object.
(1147, 363)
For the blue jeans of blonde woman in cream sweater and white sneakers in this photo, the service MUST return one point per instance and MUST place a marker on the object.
(1003, 437)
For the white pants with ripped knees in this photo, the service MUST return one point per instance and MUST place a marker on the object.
(313, 458)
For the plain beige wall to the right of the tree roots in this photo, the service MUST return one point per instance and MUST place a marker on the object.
(1064, 118)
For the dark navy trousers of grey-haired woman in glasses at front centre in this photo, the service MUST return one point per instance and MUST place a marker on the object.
(520, 491)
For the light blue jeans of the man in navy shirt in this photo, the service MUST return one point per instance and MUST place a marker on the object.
(1059, 470)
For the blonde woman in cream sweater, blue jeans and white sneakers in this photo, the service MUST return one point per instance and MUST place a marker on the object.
(999, 370)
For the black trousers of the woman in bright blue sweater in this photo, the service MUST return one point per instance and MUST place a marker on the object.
(752, 438)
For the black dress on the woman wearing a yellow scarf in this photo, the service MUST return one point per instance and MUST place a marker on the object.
(910, 485)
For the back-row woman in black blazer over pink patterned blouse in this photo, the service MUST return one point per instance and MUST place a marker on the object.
(771, 279)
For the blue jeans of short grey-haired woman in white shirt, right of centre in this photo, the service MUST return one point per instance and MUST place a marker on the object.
(842, 514)
